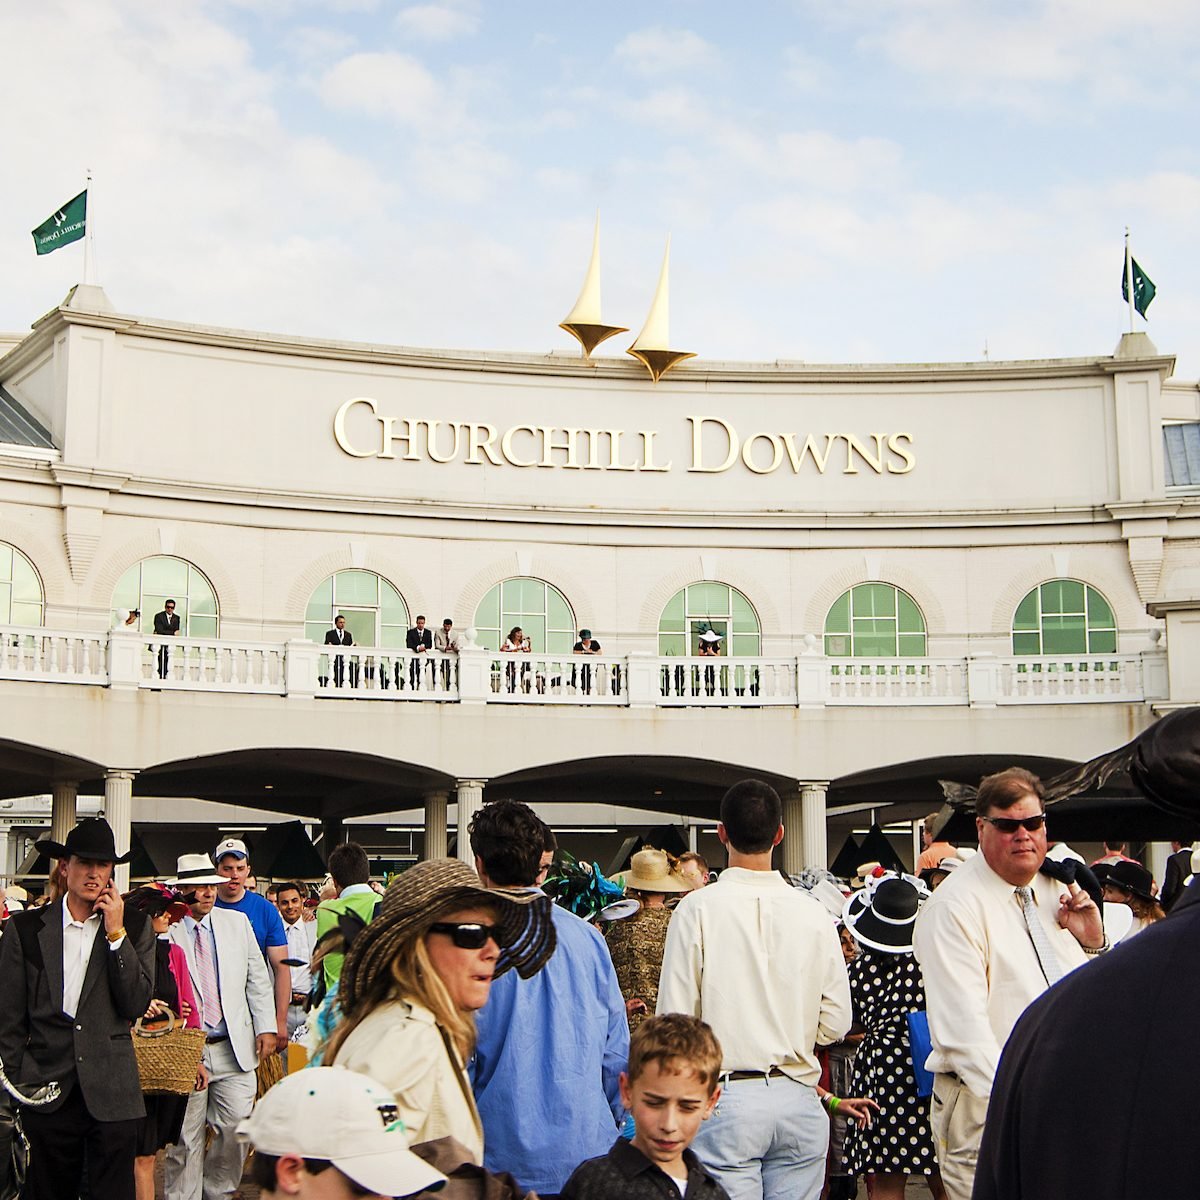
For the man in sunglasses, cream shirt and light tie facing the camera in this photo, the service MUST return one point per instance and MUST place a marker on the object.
(989, 941)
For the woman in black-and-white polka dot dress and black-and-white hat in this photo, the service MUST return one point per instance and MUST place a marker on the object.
(886, 986)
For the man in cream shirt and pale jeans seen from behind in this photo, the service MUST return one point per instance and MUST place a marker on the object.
(761, 963)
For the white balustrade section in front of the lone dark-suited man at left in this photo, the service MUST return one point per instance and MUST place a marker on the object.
(208, 664)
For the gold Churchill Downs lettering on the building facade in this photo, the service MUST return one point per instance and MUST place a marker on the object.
(717, 447)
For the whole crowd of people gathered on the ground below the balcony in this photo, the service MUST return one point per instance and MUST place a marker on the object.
(532, 1028)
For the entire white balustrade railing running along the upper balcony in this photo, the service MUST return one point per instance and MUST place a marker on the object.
(128, 661)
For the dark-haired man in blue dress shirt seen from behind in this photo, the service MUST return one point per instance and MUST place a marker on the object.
(551, 1049)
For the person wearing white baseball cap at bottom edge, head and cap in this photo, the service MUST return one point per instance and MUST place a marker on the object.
(333, 1135)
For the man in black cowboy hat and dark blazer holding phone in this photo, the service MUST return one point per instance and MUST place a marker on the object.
(74, 975)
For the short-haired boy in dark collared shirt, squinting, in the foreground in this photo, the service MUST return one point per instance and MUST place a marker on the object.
(671, 1087)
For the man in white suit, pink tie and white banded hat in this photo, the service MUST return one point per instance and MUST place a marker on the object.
(237, 1001)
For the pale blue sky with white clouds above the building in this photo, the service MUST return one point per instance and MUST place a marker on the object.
(863, 182)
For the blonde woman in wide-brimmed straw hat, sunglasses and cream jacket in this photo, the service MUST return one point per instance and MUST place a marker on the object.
(413, 981)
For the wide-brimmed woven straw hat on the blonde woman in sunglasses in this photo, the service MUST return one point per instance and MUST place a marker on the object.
(418, 898)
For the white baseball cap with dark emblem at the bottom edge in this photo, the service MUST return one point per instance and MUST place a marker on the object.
(347, 1119)
